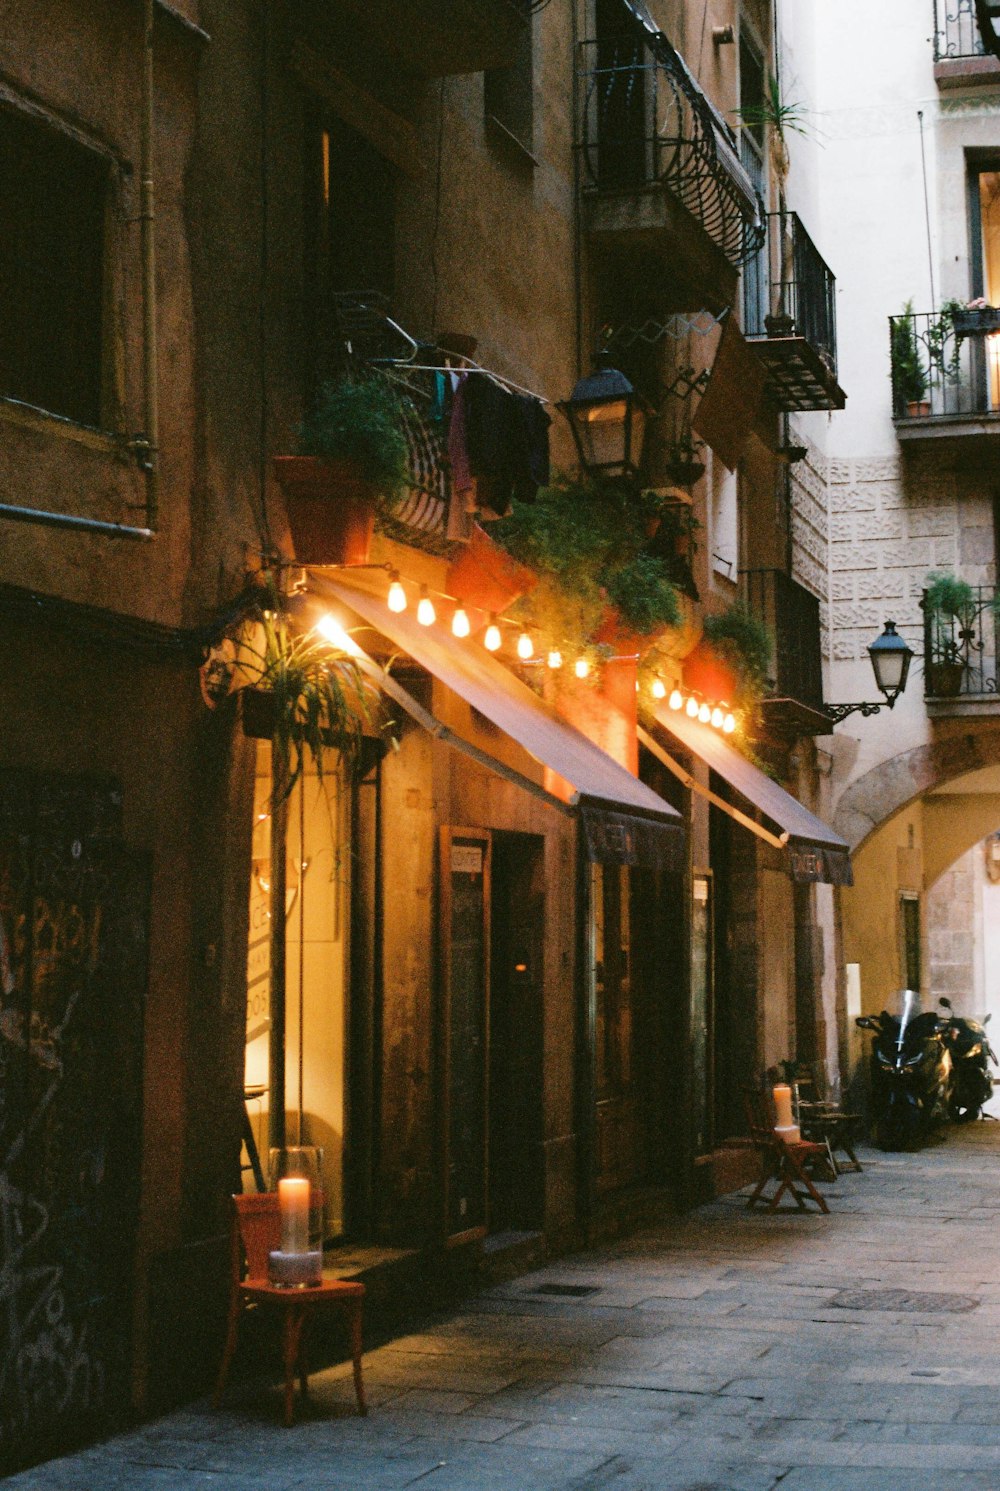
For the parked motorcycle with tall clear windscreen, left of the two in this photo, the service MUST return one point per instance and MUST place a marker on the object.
(911, 1076)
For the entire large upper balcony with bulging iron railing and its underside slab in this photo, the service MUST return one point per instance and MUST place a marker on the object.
(659, 166)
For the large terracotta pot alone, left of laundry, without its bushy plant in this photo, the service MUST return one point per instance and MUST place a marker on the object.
(332, 509)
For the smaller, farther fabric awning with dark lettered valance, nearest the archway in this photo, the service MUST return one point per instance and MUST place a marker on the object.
(814, 852)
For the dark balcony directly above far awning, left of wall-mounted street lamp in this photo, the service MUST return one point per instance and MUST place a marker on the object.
(792, 615)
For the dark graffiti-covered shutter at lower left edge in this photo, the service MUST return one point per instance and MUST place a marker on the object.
(72, 980)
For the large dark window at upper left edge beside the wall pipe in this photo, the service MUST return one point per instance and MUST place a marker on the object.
(54, 195)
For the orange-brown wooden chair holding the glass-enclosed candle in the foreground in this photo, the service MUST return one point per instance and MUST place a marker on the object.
(257, 1231)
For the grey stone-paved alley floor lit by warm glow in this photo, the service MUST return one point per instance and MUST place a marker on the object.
(722, 1353)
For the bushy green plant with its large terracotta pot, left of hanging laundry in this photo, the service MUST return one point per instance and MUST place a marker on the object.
(352, 460)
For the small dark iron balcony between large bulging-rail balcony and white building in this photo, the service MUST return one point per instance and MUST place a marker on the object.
(791, 314)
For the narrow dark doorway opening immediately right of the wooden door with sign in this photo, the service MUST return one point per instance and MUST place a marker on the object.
(516, 1188)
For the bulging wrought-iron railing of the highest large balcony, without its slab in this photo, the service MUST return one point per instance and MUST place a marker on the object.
(646, 123)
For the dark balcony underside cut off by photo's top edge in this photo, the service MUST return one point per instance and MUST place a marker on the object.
(439, 38)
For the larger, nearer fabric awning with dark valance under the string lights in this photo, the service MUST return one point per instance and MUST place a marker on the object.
(625, 822)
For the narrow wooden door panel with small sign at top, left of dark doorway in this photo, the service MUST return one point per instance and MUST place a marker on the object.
(466, 1003)
